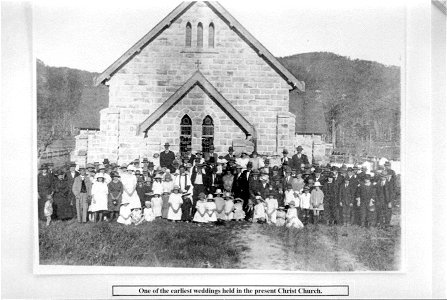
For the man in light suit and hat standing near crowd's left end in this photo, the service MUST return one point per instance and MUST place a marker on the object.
(82, 191)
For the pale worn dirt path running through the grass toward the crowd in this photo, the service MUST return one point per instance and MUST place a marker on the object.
(264, 252)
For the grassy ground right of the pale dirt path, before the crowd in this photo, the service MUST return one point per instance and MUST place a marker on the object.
(325, 248)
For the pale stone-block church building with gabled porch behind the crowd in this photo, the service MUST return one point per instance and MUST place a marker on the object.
(197, 79)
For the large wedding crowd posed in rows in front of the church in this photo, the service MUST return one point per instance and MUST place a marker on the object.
(207, 188)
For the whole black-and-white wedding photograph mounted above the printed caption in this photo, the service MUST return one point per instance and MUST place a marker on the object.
(198, 147)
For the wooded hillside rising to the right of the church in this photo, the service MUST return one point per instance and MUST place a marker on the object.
(363, 97)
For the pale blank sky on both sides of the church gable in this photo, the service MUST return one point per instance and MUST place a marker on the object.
(91, 35)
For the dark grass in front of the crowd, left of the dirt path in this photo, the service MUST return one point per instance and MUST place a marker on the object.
(157, 244)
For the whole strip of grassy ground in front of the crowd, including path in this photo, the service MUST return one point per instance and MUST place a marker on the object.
(235, 245)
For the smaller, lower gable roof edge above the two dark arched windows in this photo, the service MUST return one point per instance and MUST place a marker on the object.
(198, 79)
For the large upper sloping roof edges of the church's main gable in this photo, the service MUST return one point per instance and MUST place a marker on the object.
(227, 18)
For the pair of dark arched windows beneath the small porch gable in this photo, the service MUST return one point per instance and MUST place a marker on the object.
(186, 134)
